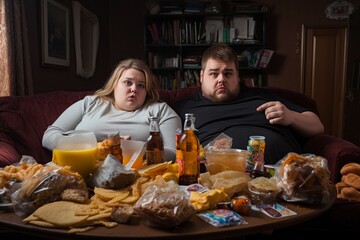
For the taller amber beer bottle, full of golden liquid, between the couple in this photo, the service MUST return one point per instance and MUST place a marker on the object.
(190, 147)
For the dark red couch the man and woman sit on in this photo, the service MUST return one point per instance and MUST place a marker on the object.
(23, 120)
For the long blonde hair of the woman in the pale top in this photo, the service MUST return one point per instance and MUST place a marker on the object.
(107, 91)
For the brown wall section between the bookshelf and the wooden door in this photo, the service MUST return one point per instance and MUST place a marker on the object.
(285, 21)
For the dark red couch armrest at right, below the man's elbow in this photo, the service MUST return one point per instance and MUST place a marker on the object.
(338, 152)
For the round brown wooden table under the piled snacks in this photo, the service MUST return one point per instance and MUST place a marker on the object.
(193, 228)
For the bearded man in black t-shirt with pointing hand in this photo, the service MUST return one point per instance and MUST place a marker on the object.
(226, 106)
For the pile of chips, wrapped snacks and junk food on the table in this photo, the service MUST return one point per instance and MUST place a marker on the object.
(53, 196)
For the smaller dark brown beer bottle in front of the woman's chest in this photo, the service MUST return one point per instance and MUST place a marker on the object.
(155, 145)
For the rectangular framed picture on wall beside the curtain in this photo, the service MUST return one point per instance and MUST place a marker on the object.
(55, 33)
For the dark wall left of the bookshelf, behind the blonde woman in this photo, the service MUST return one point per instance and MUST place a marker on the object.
(121, 36)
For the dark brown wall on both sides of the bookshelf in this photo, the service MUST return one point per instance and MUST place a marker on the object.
(122, 36)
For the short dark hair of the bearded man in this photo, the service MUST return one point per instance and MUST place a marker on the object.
(220, 52)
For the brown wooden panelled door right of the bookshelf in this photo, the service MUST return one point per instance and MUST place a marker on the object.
(323, 72)
